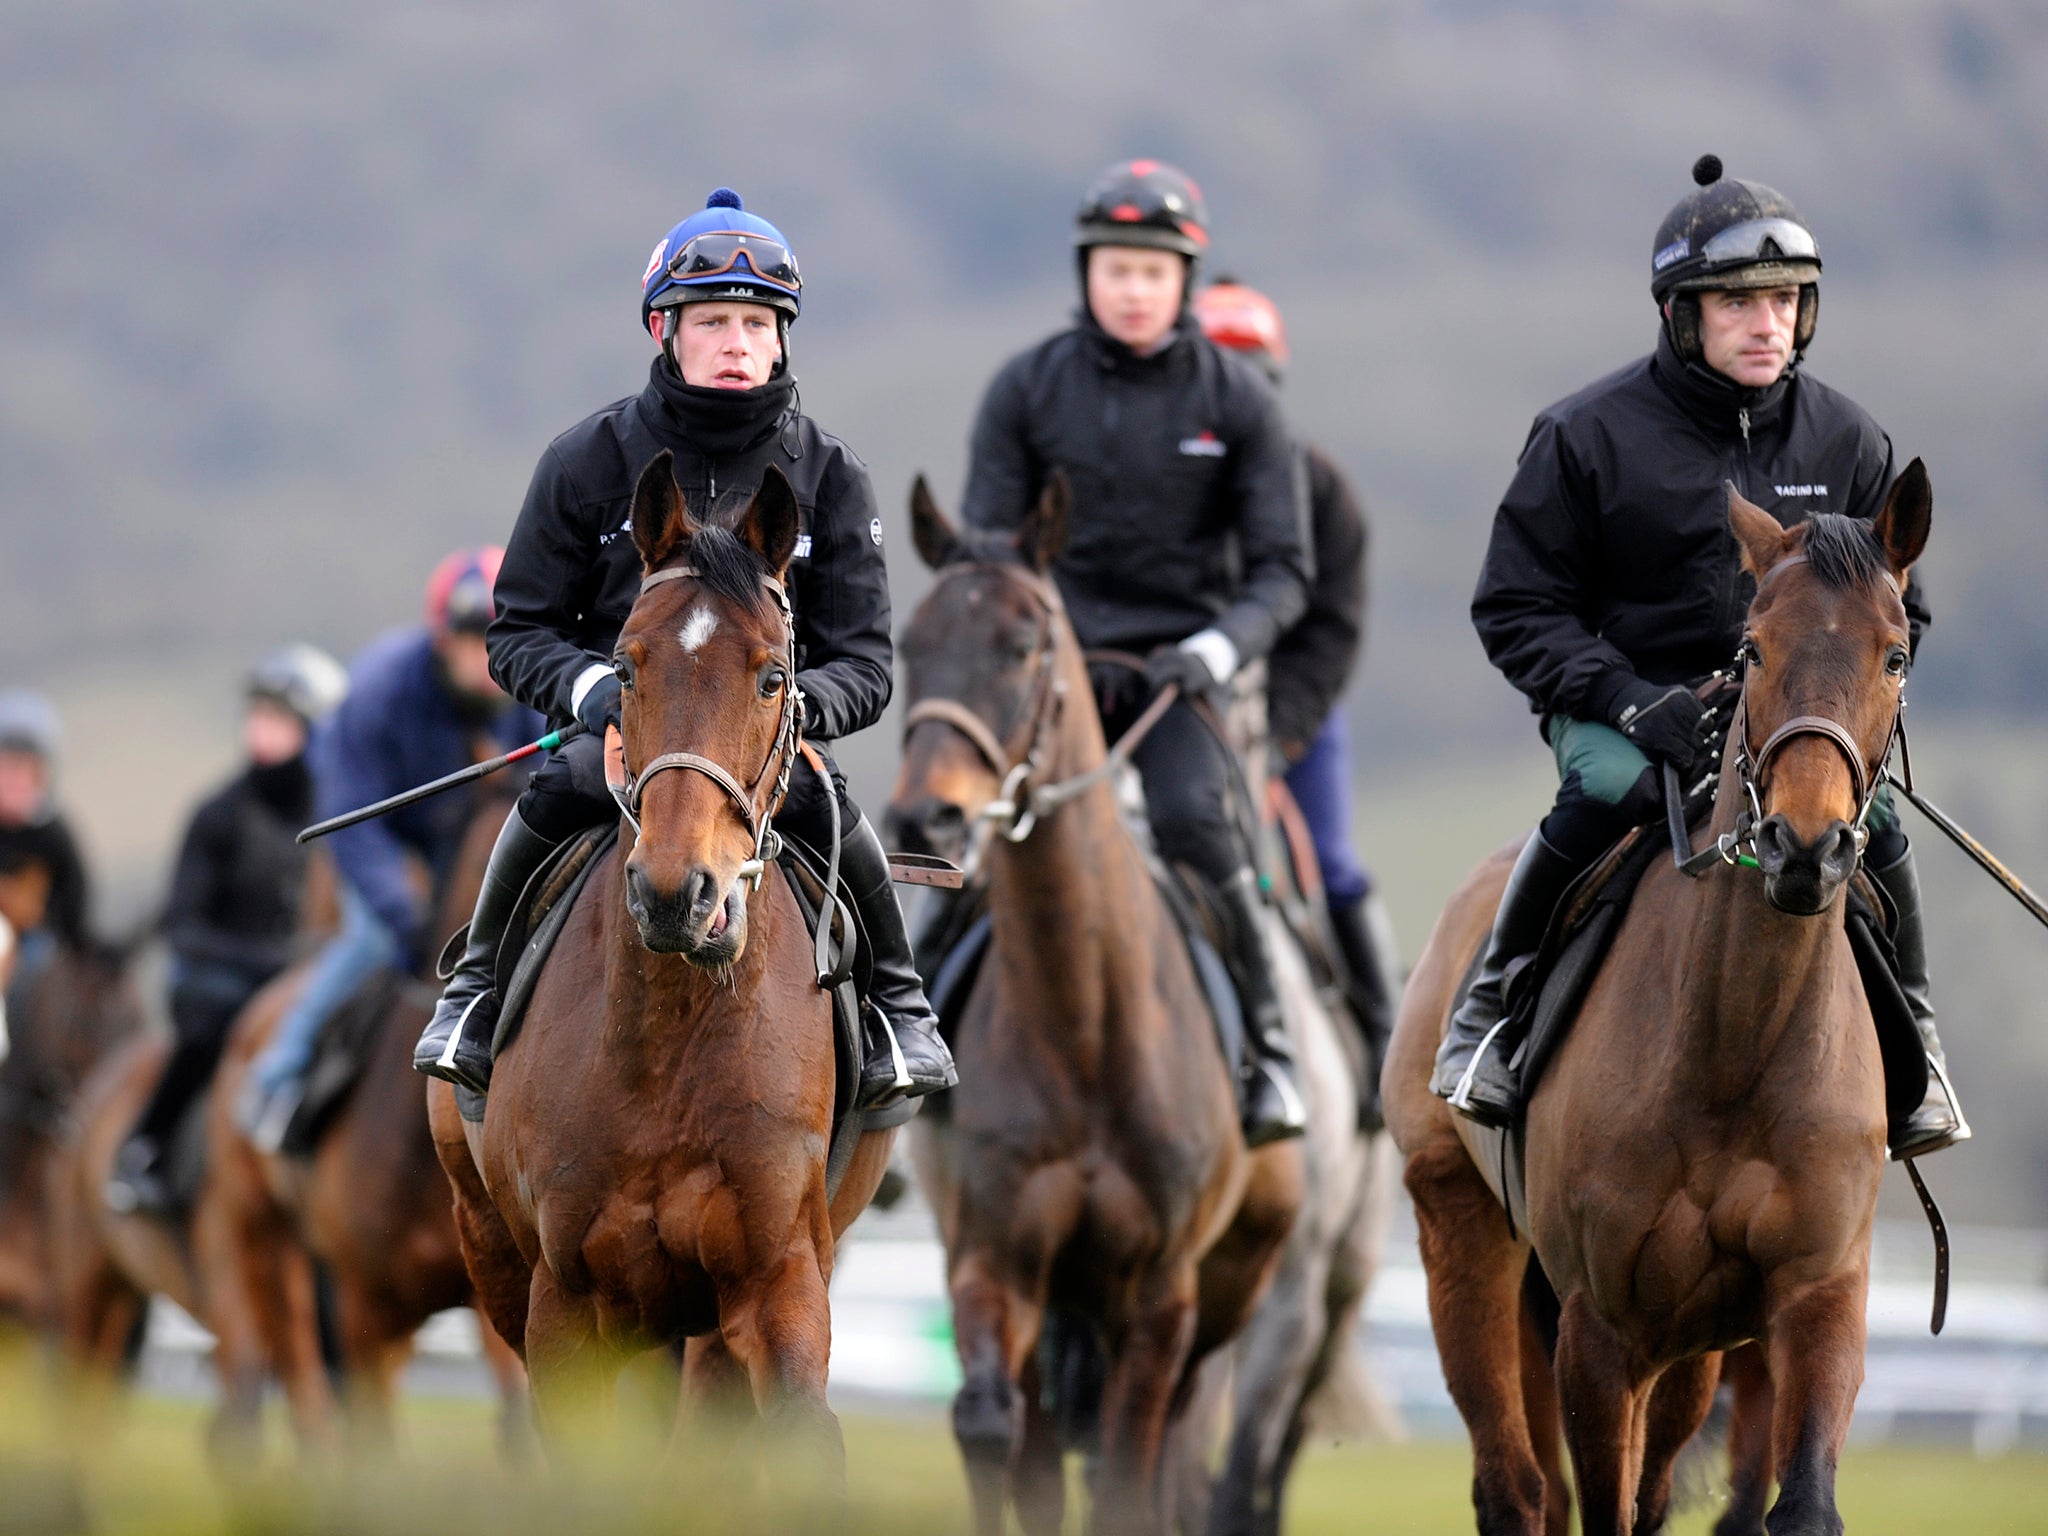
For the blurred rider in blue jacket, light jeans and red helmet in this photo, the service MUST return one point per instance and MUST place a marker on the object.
(421, 706)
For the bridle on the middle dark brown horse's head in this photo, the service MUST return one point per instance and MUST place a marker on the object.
(1021, 804)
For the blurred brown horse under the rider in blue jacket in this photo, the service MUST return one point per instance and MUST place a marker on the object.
(372, 1203)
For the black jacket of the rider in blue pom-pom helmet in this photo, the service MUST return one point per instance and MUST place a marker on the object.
(570, 572)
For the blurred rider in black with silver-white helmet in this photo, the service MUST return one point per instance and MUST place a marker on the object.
(234, 904)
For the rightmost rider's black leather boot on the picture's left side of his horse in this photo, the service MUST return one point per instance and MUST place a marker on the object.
(1471, 1066)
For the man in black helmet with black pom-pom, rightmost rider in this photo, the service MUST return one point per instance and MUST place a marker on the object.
(1613, 589)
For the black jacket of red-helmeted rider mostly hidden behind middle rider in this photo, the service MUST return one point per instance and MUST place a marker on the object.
(1314, 660)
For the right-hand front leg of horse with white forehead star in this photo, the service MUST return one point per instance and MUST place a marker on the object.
(779, 1330)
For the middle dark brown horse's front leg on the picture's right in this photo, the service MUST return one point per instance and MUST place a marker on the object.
(1148, 1359)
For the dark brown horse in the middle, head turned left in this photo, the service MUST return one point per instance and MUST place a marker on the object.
(1097, 1164)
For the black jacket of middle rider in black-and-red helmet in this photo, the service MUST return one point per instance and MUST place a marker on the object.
(1187, 501)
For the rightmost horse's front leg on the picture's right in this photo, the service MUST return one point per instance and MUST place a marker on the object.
(1818, 1367)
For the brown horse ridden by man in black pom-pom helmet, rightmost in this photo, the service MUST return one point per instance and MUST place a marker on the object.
(1703, 1156)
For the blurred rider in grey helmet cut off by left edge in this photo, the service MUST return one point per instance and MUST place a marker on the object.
(34, 835)
